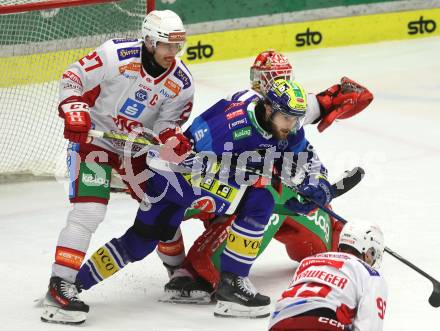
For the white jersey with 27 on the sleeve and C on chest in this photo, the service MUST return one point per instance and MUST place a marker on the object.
(122, 96)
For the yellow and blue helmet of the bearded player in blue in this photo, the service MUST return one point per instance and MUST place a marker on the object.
(288, 97)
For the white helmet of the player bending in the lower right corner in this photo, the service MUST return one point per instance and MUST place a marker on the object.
(368, 240)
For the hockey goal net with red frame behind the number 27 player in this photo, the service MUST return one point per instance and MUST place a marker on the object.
(38, 40)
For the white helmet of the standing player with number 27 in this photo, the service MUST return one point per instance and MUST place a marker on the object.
(164, 26)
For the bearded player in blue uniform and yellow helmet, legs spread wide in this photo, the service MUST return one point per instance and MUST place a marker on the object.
(228, 128)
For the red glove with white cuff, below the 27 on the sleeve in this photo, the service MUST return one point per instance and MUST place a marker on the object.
(77, 122)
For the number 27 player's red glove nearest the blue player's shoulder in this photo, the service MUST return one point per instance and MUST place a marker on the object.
(176, 145)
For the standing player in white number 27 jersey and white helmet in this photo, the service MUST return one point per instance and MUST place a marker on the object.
(122, 85)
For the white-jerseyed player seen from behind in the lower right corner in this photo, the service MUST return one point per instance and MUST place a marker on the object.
(337, 290)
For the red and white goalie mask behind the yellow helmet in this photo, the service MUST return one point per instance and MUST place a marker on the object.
(267, 66)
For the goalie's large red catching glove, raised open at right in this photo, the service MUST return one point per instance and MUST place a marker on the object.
(342, 101)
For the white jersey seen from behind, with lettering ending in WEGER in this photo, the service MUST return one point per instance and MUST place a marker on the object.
(340, 282)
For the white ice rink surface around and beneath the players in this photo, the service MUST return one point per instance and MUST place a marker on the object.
(395, 140)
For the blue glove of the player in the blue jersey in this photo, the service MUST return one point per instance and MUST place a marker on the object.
(317, 189)
